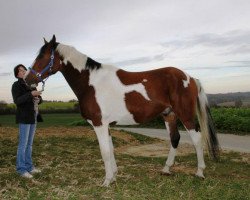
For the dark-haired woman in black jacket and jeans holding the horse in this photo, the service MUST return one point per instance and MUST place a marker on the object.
(26, 101)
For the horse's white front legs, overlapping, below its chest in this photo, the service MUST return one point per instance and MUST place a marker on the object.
(107, 153)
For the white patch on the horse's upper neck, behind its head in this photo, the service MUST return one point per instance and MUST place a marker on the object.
(76, 58)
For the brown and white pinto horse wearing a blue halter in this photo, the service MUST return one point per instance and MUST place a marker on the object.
(109, 95)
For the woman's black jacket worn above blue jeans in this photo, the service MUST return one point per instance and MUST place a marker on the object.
(25, 112)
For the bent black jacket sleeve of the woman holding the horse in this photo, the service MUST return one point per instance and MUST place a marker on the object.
(18, 97)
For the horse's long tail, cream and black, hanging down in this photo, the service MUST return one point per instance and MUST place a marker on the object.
(206, 122)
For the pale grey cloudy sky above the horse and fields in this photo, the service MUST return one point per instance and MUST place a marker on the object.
(209, 40)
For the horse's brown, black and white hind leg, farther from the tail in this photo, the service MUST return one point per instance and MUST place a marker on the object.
(171, 126)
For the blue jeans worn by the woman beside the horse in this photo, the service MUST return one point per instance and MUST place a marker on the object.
(24, 152)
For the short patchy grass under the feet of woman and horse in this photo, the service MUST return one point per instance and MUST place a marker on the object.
(72, 169)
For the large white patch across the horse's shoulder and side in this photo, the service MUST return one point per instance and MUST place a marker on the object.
(110, 95)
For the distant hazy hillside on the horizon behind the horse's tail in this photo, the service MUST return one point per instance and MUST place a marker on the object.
(216, 99)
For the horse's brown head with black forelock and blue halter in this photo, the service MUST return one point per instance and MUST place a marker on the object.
(46, 63)
